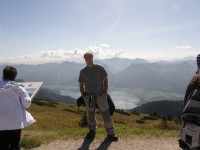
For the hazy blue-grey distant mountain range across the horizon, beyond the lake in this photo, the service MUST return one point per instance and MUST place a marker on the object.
(133, 73)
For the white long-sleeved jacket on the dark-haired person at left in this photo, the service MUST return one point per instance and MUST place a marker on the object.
(14, 99)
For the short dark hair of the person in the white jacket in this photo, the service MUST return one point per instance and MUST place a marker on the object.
(9, 73)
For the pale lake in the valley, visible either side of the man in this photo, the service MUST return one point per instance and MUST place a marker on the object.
(122, 100)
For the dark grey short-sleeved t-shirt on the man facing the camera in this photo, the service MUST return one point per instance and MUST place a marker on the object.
(92, 77)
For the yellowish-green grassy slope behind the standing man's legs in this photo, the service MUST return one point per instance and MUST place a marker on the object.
(56, 120)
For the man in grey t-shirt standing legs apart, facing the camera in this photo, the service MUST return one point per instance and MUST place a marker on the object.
(93, 87)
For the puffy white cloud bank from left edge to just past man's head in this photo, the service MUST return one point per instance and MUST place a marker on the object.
(100, 52)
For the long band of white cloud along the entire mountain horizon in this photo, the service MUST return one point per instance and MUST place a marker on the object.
(101, 52)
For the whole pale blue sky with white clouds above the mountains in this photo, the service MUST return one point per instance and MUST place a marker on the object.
(57, 30)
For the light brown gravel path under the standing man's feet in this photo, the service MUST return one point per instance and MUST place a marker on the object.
(134, 143)
